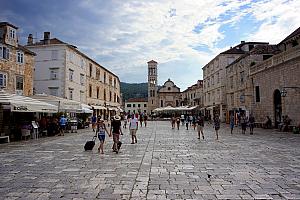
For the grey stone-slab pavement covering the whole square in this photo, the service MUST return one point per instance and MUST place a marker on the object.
(164, 164)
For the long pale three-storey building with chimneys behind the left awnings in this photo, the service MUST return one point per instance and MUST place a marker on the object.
(64, 71)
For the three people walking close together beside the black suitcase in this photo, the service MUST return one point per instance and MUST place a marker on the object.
(115, 131)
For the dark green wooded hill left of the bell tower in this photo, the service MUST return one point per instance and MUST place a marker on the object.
(134, 90)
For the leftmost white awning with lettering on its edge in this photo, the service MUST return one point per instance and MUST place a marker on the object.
(18, 103)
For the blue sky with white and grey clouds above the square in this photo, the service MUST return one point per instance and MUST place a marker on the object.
(181, 35)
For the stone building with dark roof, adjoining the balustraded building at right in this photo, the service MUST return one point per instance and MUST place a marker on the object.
(239, 91)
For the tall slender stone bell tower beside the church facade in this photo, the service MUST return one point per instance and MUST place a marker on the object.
(152, 85)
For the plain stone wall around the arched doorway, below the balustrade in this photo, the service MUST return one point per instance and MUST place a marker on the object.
(284, 74)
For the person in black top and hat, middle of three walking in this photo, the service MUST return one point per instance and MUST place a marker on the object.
(116, 130)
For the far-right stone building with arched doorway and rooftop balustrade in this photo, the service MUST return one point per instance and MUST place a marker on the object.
(276, 83)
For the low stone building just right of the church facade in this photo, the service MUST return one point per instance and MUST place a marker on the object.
(193, 95)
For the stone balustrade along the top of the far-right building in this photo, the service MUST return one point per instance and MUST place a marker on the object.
(276, 60)
